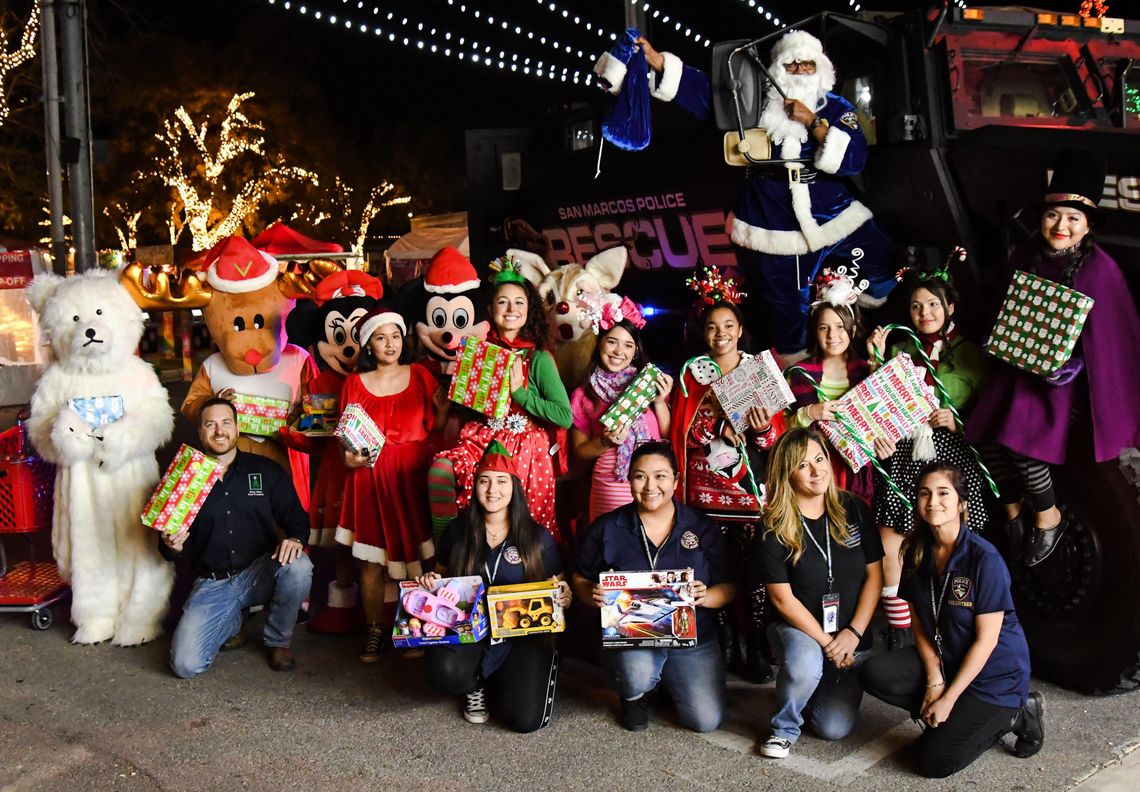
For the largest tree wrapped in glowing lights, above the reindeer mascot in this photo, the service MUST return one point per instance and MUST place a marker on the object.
(221, 176)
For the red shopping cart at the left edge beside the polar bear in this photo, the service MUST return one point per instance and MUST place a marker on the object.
(27, 484)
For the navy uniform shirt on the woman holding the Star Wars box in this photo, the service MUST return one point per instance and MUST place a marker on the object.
(616, 543)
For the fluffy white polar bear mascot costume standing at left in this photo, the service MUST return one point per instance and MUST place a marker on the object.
(105, 455)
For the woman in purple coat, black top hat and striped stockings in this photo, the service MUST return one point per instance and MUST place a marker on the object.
(1030, 417)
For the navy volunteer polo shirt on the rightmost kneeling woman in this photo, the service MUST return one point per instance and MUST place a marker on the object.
(979, 583)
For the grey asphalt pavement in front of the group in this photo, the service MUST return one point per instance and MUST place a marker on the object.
(108, 718)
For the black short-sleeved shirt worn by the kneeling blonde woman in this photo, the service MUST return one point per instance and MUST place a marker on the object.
(809, 577)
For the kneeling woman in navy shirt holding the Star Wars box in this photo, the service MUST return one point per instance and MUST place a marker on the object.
(658, 533)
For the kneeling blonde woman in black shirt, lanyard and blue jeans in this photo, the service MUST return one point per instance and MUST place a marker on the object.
(823, 561)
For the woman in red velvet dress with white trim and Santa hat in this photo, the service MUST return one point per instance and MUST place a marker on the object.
(385, 517)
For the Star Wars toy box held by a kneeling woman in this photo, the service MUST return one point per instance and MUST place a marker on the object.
(648, 610)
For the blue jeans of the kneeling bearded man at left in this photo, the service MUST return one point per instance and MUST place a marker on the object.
(214, 611)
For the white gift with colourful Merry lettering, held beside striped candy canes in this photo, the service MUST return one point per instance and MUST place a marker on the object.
(892, 404)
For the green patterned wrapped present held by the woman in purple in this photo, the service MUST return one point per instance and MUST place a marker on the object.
(1039, 324)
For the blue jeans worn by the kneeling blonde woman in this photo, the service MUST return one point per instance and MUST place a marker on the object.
(808, 681)
